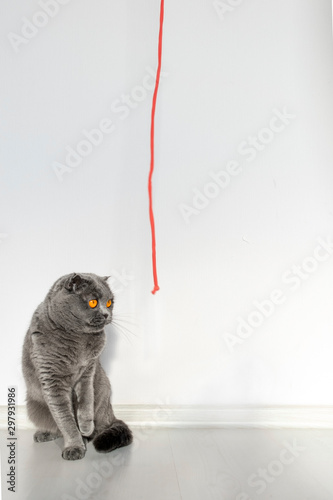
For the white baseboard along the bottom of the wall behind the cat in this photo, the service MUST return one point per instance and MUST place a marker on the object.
(208, 416)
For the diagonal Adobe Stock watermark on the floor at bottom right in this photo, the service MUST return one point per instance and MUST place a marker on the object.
(263, 477)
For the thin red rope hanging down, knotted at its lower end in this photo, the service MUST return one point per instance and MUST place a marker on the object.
(152, 137)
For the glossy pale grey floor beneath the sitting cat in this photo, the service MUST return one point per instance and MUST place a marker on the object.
(187, 464)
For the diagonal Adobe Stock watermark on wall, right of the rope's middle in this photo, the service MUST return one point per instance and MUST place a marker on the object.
(249, 149)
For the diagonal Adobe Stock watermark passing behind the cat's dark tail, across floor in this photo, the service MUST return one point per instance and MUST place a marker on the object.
(103, 468)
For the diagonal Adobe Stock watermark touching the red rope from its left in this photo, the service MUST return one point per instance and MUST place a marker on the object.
(121, 108)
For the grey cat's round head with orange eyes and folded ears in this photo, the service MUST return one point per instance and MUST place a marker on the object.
(81, 302)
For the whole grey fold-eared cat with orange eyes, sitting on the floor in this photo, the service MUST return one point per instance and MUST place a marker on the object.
(68, 392)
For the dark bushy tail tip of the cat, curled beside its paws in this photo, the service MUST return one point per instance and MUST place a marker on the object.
(115, 436)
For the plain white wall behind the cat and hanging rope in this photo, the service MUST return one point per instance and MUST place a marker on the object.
(226, 74)
